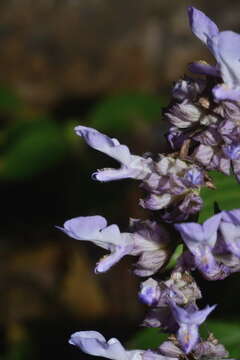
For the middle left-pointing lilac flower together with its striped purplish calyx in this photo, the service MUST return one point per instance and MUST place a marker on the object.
(149, 241)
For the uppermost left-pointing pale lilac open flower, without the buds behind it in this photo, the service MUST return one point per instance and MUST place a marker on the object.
(132, 166)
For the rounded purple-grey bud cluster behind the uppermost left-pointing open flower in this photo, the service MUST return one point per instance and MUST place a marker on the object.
(174, 187)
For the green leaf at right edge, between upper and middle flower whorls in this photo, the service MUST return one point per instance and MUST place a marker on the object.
(226, 195)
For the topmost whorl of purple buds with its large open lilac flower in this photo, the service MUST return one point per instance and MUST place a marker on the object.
(206, 111)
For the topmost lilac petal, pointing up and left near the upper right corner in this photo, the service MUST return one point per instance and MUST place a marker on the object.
(203, 27)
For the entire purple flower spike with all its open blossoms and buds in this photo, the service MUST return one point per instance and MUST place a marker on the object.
(205, 135)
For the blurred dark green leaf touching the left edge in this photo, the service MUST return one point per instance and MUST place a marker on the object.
(33, 147)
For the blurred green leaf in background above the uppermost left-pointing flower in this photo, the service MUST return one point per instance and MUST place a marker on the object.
(121, 113)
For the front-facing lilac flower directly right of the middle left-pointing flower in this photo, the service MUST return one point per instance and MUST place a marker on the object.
(200, 240)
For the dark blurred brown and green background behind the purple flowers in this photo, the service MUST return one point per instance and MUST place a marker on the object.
(108, 64)
